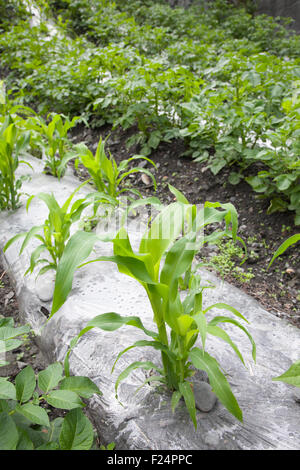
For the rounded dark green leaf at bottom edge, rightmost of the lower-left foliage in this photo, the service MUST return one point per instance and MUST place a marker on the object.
(77, 431)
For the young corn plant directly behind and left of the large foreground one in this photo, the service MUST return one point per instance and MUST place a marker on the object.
(54, 233)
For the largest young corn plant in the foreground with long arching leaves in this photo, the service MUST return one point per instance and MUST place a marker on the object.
(162, 259)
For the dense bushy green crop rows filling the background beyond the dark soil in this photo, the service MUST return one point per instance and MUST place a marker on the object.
(224, 81)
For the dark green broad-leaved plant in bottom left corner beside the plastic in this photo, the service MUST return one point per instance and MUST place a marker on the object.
(24, 421)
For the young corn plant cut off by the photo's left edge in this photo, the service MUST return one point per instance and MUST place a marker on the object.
(12, 144)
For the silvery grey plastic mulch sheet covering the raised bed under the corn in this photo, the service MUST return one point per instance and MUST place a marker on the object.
(145, 420)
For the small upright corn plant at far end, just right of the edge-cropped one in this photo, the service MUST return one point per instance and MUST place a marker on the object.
(56, 144)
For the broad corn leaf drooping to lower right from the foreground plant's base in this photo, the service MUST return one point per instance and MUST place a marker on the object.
(203, 361)
